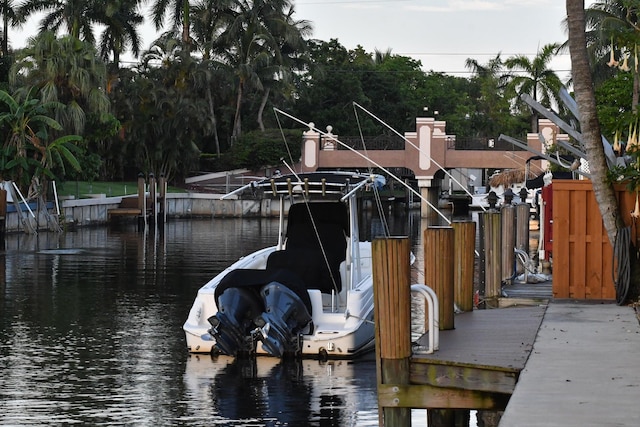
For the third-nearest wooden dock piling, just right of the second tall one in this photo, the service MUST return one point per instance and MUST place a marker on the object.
(464, 263)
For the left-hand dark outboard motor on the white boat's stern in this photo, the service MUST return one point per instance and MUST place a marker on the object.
(232, 325)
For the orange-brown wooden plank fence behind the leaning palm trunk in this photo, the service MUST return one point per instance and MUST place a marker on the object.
(583, 264)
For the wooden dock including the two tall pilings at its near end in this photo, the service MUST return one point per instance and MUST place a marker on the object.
(481, 352)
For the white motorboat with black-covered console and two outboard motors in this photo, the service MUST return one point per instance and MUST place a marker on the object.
(309, 295)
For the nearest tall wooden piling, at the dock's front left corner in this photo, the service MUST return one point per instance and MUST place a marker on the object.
(392, 311)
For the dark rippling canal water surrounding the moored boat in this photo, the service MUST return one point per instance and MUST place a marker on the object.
(91, 334)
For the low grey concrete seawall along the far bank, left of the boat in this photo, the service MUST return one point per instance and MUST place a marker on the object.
(94, 211)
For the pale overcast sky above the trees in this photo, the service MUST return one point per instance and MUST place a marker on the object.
(441, 34)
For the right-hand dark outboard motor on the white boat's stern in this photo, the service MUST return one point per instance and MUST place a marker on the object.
(285, 317)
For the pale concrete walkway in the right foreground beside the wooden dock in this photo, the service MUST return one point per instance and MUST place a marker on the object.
(584, 369)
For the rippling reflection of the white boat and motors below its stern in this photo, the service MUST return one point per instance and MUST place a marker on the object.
(273, 391)
